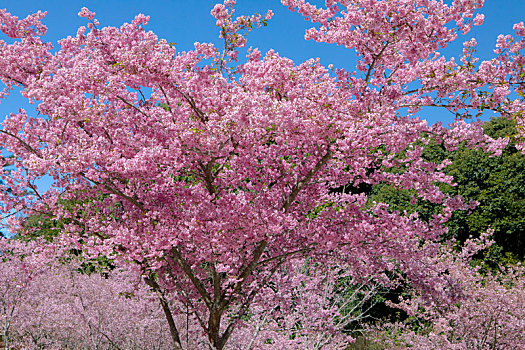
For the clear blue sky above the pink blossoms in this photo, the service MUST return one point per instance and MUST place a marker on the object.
(185, 22)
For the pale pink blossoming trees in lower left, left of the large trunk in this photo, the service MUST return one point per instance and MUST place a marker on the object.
(47, 303)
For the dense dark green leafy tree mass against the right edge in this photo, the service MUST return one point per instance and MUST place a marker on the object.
(497, 184)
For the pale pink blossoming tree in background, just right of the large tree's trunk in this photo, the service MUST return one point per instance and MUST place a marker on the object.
(313, 307)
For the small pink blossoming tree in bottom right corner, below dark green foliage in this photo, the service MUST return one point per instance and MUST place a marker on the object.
(488, 313)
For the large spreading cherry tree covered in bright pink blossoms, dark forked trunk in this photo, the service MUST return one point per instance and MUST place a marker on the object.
(209, 175)
